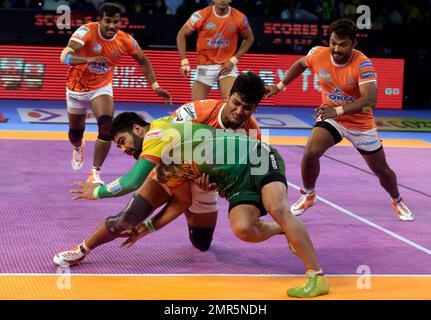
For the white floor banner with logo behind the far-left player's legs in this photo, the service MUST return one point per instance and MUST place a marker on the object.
(41, 115)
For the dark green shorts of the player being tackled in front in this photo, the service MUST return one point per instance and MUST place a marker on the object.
(249, 190)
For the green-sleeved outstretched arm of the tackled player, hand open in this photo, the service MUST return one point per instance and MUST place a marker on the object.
(127, 183)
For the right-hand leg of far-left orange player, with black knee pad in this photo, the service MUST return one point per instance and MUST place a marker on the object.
(103, 110)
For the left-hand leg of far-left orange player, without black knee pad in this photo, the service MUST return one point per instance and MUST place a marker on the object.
(77, 105)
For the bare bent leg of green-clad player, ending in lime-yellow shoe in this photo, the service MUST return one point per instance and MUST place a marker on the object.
(275, 202)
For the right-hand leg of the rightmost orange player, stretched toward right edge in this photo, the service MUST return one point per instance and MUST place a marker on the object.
(376, 161)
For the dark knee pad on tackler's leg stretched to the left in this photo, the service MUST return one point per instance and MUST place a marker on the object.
(136, 211)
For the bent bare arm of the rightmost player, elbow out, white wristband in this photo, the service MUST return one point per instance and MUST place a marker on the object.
(366, 102)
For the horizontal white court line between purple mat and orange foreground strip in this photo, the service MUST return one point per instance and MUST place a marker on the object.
(205, 275)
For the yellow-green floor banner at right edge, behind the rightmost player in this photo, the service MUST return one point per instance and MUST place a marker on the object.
(403, 124)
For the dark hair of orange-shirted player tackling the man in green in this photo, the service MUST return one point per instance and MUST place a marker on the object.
(250, 87)
